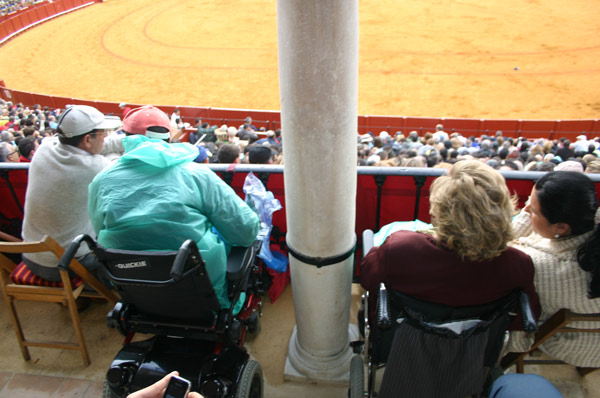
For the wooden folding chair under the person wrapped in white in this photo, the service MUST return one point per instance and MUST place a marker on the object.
(18, 283)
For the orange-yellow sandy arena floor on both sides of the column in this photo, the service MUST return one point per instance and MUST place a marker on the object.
(526, 59)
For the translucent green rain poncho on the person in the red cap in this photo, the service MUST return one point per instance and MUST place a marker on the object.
(155, 197)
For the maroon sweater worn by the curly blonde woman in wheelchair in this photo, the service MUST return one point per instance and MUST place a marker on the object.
(419, 266)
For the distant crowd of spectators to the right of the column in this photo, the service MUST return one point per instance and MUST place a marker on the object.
(440, 149)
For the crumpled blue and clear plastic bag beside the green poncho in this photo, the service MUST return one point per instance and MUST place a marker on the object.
(264, 204)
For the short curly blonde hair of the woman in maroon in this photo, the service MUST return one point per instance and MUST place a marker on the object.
(471, 210)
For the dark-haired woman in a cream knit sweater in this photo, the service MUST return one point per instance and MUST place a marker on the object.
(559, 229)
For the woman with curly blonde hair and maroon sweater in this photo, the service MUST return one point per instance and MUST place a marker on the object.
(466, 261)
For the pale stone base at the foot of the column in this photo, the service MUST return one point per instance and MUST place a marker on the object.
(301, 366)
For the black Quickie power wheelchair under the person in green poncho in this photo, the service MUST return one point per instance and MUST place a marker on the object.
(168, 294)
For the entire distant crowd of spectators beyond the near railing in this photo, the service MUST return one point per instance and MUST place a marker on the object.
(248, 144)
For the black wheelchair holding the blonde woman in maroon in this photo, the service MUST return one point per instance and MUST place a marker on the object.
(429, 349)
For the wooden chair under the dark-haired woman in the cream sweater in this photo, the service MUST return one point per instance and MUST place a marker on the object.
(557, 323)
